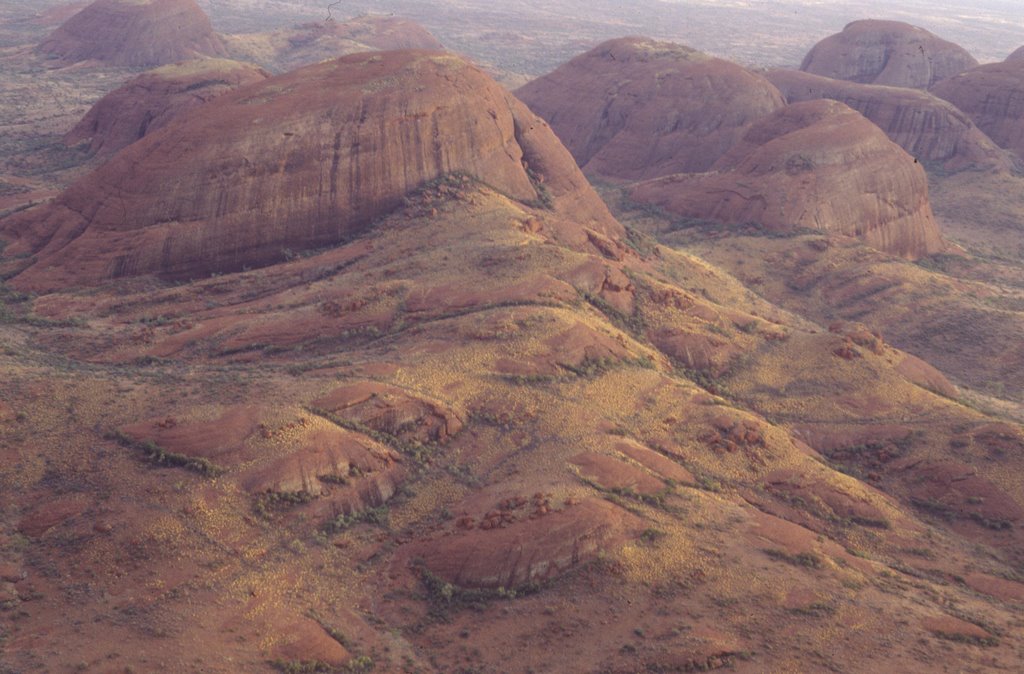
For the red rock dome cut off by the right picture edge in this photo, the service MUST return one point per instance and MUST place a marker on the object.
(994, 98)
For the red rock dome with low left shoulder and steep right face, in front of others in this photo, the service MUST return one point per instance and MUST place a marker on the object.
(817, 164)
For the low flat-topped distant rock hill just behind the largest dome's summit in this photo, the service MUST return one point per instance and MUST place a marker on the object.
(311, 44)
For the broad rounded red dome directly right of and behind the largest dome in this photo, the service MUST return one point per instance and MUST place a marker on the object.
(636, 109)
